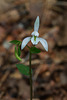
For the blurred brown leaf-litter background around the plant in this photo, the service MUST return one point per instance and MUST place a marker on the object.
(17, 19)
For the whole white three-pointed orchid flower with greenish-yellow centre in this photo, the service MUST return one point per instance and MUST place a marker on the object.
(35, 39)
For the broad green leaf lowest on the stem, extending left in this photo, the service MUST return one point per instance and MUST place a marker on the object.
(23, 69)
